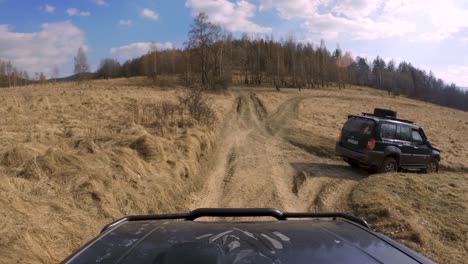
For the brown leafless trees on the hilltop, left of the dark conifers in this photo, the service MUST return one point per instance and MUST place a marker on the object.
(214, 59)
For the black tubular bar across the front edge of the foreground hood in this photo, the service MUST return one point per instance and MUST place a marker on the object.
(237, 212)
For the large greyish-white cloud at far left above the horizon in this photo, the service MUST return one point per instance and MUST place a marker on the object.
(54, 44)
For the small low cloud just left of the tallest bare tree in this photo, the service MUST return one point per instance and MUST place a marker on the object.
(137, 49)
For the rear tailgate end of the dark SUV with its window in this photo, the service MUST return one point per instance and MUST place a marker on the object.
(356, 132)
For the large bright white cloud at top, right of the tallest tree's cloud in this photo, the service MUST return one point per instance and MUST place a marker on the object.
(349, 18)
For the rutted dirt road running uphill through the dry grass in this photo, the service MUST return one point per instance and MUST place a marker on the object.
(255, 165)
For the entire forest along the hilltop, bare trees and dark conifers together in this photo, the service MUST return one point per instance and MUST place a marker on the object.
(215, 59)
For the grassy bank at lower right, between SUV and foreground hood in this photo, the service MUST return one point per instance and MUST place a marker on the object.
(428, 213)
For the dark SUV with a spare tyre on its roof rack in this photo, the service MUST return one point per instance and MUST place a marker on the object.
(382, 142)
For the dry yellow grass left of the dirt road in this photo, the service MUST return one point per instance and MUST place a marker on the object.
(74, 157)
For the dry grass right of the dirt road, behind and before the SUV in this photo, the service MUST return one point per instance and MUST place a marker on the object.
(426, 212)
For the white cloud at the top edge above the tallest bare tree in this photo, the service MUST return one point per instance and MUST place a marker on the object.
(232, 16)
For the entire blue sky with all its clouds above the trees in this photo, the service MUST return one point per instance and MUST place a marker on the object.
(431, 34)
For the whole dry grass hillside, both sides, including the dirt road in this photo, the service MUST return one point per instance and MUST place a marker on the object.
(74, 157)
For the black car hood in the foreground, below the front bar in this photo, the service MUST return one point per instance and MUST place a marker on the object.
(312, 241)
